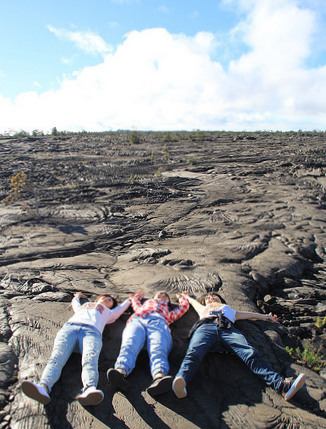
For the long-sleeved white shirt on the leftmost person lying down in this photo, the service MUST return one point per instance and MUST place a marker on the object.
(96, 314)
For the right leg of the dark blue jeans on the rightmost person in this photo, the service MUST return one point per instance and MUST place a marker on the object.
(236, 342)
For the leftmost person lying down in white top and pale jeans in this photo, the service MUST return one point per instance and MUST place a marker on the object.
(81, 333)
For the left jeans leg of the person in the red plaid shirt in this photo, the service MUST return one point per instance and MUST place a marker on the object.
(133, 340)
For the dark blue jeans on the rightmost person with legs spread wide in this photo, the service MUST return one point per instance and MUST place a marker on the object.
(209, 338)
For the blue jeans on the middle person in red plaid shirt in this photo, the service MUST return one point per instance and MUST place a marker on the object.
(155, 331)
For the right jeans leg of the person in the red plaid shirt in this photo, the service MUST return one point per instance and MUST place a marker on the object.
(159, 344)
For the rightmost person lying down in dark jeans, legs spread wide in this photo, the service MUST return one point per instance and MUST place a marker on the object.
(215, 332)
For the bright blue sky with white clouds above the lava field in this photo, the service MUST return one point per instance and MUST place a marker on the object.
(100, 65)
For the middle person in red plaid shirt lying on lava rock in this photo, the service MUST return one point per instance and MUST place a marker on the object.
(149, 323)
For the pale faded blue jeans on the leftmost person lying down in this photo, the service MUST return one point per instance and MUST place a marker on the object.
(74, 337)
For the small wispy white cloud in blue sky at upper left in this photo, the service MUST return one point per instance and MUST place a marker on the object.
(86, 41)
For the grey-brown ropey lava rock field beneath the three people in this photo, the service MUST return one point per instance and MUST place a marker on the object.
(241, 213)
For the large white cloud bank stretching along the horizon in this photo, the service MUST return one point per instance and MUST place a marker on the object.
(158, 80)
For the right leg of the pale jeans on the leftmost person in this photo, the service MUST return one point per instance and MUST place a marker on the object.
(90, 344)
